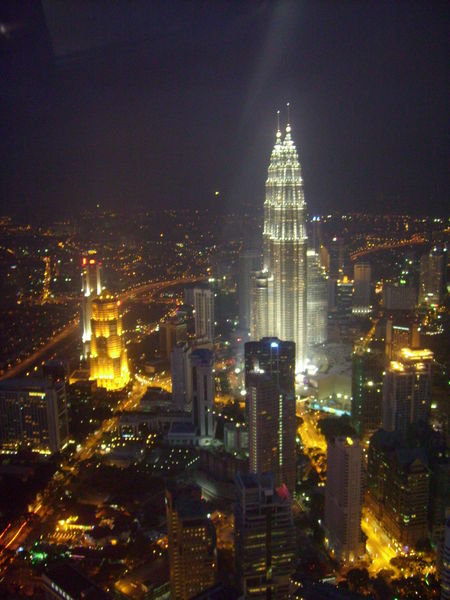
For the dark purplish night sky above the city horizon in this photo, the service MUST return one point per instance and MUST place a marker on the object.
(140, 103)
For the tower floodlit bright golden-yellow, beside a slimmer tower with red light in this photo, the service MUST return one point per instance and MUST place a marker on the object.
(108, 358)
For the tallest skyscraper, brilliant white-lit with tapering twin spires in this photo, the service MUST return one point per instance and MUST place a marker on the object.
(285, 243)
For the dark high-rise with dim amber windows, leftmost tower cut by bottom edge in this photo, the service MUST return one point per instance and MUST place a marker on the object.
(192, 542)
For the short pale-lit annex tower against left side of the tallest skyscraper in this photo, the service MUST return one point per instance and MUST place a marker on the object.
(261, 305)
